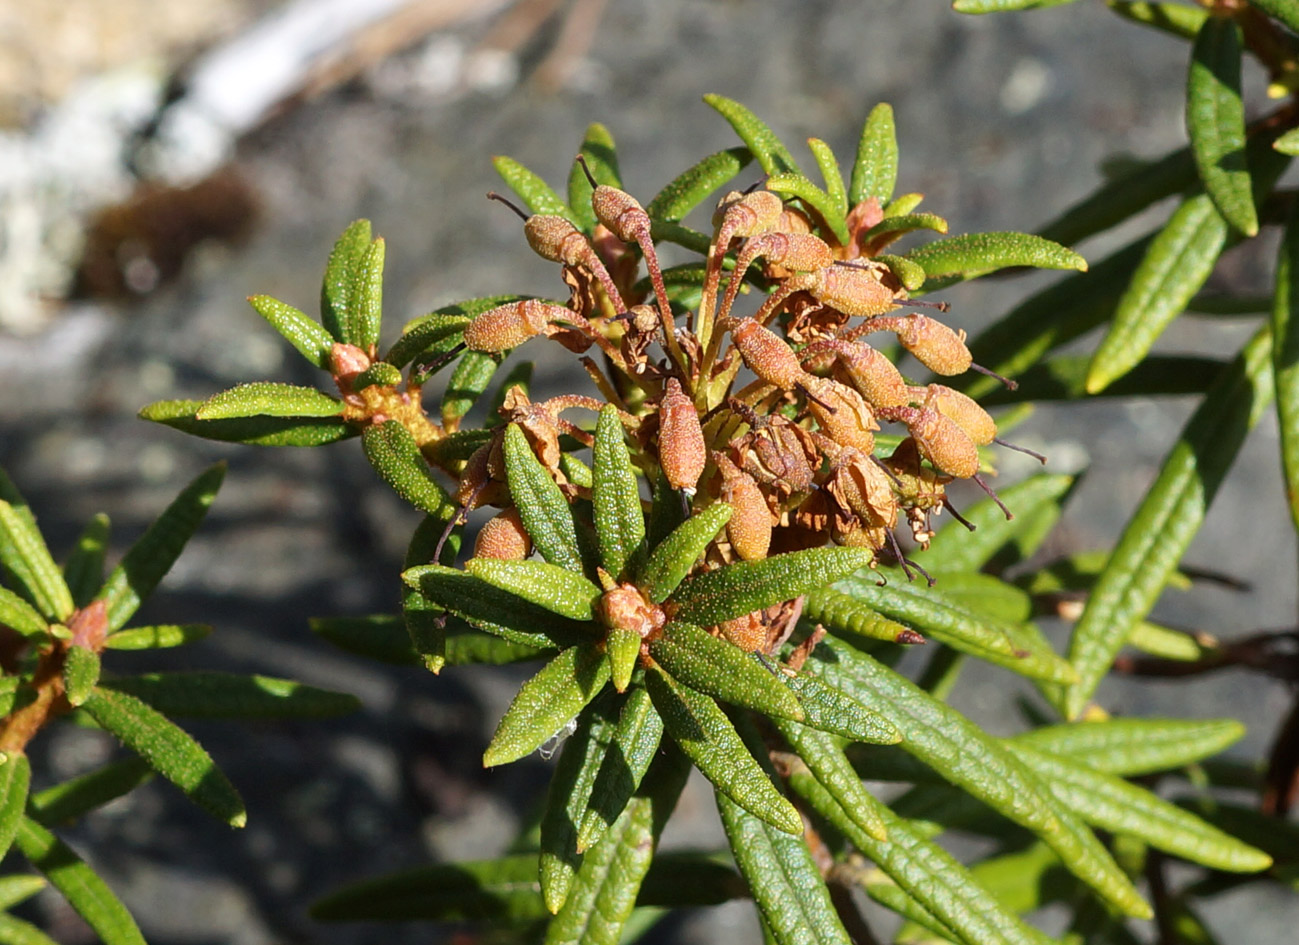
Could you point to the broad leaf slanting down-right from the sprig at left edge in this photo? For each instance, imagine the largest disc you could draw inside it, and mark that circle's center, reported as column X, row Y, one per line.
column 170, row 751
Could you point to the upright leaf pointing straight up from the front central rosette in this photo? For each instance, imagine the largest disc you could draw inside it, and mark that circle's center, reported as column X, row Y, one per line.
column 620, row 524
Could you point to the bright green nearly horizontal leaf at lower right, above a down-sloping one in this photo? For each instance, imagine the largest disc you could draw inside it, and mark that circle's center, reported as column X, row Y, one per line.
column 1136, row 747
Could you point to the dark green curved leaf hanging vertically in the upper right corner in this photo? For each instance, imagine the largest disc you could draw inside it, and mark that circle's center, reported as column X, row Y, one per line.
column 1215, row 120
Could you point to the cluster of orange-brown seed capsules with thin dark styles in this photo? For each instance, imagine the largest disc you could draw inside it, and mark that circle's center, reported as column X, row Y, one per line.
column 793, row 449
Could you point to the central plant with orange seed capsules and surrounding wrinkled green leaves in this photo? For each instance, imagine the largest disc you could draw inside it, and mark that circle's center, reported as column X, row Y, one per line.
column 702, row 554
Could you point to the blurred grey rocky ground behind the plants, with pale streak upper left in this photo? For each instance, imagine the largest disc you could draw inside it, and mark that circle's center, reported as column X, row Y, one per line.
column 159, row 163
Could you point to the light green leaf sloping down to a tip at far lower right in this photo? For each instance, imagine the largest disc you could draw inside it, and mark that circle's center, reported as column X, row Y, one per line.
column 1114, row 805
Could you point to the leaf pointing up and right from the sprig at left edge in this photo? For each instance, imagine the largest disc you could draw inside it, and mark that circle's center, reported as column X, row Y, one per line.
column 154, row 554
